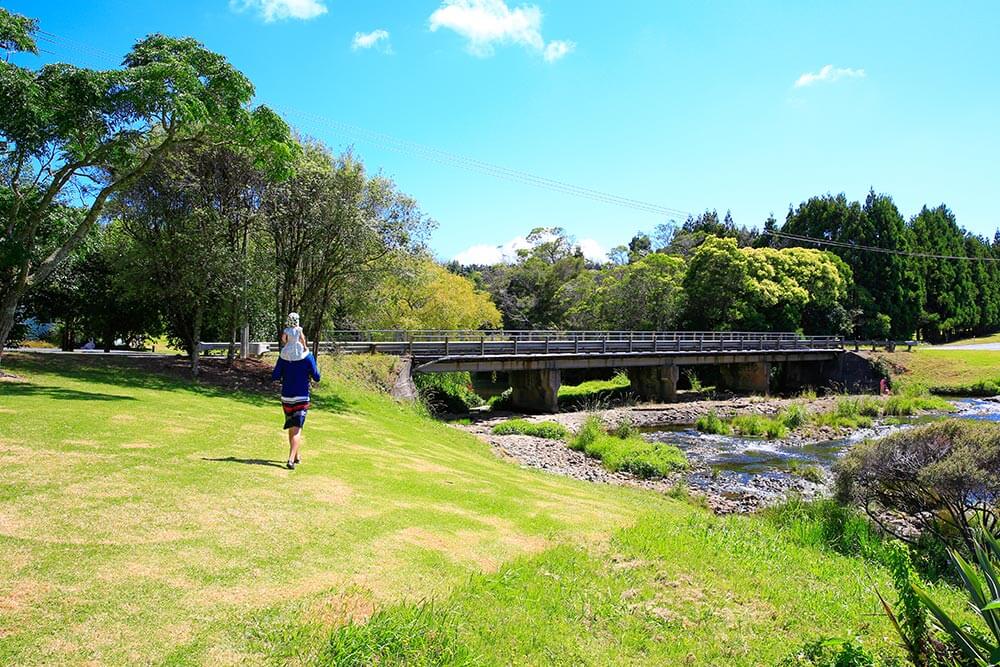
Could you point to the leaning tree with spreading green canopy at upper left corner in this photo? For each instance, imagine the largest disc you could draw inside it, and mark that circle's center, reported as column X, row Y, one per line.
column 83, row 135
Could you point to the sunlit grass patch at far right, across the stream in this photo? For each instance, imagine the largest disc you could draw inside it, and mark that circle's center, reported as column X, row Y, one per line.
column 947, row 370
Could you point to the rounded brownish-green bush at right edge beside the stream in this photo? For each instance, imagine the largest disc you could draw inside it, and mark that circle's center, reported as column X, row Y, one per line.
column 938, row 476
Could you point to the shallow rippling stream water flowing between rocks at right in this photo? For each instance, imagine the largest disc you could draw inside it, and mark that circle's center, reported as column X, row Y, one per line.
column 756, row 470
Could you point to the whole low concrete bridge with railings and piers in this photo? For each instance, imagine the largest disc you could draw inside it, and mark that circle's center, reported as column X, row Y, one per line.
column 534, row 360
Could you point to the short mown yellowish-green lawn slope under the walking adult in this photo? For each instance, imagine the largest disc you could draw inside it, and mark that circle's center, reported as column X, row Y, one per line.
column 142, row 518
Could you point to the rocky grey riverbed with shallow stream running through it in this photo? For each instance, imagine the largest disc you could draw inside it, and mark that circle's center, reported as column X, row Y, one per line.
column 732, row 474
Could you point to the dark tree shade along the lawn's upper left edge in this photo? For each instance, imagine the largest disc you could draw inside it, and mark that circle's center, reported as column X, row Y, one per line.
column 154, row 373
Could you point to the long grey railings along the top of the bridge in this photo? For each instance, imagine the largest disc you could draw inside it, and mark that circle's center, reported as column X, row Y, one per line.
column 450, row 343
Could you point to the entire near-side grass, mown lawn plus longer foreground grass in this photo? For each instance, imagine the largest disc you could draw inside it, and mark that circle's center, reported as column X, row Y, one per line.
column 146, row 520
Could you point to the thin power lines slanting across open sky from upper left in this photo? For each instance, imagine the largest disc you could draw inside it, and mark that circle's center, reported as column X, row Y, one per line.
column 422, row 151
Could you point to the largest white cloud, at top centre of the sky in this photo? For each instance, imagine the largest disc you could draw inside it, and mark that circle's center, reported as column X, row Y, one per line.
column 485, row 23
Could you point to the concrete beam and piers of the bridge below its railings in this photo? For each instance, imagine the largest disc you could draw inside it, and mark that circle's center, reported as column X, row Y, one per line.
column 535, row 380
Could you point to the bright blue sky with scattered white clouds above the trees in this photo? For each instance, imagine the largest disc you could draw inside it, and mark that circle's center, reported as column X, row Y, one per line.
column 687, row 105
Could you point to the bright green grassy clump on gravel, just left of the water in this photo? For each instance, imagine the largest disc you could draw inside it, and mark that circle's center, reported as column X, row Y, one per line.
column 631, row 454
